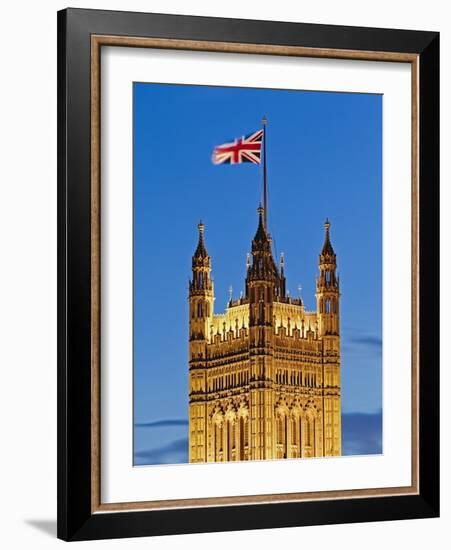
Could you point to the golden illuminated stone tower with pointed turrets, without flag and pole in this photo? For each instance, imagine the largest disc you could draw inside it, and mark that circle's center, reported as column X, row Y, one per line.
column 264, row 377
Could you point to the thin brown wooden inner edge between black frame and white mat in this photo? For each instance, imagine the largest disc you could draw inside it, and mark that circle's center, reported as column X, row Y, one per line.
column 176, row 44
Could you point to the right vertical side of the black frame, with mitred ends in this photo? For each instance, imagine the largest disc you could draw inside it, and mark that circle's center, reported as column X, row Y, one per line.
column 430, row 273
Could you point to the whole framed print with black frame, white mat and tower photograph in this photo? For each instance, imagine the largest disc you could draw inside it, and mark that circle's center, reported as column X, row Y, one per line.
column 248, row 274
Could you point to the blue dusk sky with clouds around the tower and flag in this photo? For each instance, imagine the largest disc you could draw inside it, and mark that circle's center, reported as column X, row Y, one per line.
column 324, row 154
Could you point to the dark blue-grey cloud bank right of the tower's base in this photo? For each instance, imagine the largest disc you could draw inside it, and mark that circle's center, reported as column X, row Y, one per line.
column 361, row 433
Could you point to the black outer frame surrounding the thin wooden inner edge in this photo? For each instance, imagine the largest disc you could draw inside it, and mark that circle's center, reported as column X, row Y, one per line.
column 75, row 521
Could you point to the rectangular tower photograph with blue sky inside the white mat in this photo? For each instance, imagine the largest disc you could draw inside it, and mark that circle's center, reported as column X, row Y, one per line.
column 257, row 274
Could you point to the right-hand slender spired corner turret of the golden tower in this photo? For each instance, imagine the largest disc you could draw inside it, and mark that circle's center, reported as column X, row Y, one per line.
column 327, row 288
